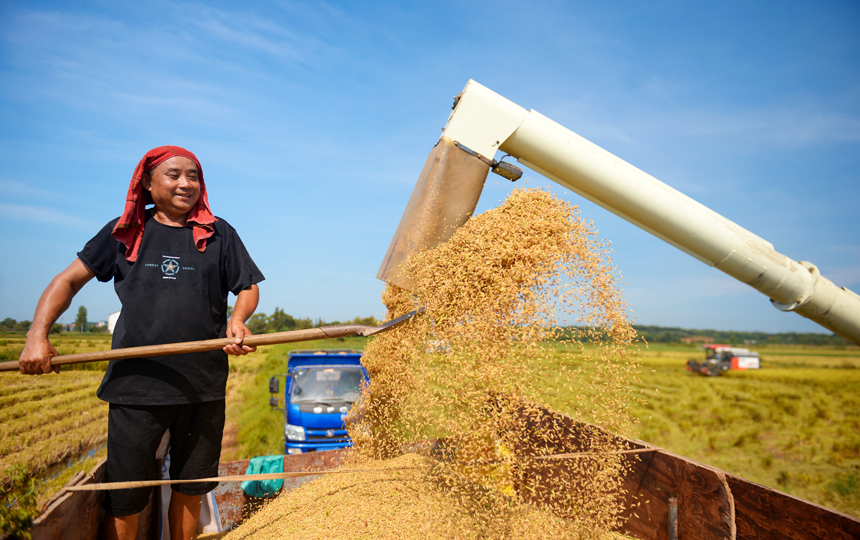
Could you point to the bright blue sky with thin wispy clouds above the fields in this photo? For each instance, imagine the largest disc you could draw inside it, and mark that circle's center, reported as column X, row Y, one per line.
column 312, row 121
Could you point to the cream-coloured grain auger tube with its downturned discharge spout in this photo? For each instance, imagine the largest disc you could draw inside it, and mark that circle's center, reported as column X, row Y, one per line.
column 483, row 122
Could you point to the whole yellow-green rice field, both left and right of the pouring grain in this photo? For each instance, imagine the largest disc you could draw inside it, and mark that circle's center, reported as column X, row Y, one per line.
column 793, row 425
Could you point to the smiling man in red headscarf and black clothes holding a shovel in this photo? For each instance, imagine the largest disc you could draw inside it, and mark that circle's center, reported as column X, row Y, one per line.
column 172, row 280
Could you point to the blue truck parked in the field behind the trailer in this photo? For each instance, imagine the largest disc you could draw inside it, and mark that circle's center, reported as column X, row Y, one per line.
column 321, row 387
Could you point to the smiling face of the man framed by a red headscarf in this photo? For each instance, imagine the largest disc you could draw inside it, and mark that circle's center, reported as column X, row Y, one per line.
column 174, row 186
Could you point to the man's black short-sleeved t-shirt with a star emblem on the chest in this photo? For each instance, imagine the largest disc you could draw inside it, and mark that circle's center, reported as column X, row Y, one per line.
column 172, row 293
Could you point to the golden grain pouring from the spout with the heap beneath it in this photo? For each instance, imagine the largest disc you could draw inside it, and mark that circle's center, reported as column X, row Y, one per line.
column 444, row 437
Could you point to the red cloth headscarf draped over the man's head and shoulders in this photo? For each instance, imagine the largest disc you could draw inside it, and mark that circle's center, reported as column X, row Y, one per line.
column 129, row 228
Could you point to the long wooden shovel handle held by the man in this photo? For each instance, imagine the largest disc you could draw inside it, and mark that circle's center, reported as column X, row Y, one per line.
column 293, row 336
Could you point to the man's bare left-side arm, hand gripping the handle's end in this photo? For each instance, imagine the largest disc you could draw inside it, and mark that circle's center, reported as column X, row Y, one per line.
column 36, row 357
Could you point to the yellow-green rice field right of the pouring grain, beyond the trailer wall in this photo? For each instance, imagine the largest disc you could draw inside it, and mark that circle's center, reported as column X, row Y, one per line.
column 793, row 425
